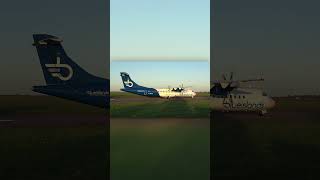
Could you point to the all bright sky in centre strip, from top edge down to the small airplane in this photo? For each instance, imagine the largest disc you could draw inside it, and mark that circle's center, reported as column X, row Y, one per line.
column 161, row 43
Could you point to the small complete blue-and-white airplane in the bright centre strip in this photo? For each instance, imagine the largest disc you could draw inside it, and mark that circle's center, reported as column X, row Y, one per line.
column 131, row 87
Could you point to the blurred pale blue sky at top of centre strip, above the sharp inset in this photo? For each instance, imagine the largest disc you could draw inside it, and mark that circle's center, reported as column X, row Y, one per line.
column 160, row 29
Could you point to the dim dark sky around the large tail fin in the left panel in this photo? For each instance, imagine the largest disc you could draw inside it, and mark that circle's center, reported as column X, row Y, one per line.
column 83, row 26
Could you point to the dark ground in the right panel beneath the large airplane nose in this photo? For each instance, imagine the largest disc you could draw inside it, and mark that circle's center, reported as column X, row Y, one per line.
column 283, row 145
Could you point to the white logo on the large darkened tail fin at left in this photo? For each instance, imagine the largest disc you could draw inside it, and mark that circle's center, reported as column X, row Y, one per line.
column 55, row 69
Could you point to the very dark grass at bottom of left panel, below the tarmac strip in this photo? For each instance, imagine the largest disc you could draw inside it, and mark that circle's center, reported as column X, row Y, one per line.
column 53, row 153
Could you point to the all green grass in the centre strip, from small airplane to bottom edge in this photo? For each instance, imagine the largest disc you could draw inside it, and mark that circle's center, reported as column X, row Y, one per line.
column 155, row 148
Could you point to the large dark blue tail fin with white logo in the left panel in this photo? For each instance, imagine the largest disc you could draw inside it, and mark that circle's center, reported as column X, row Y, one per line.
column 57, row 67
